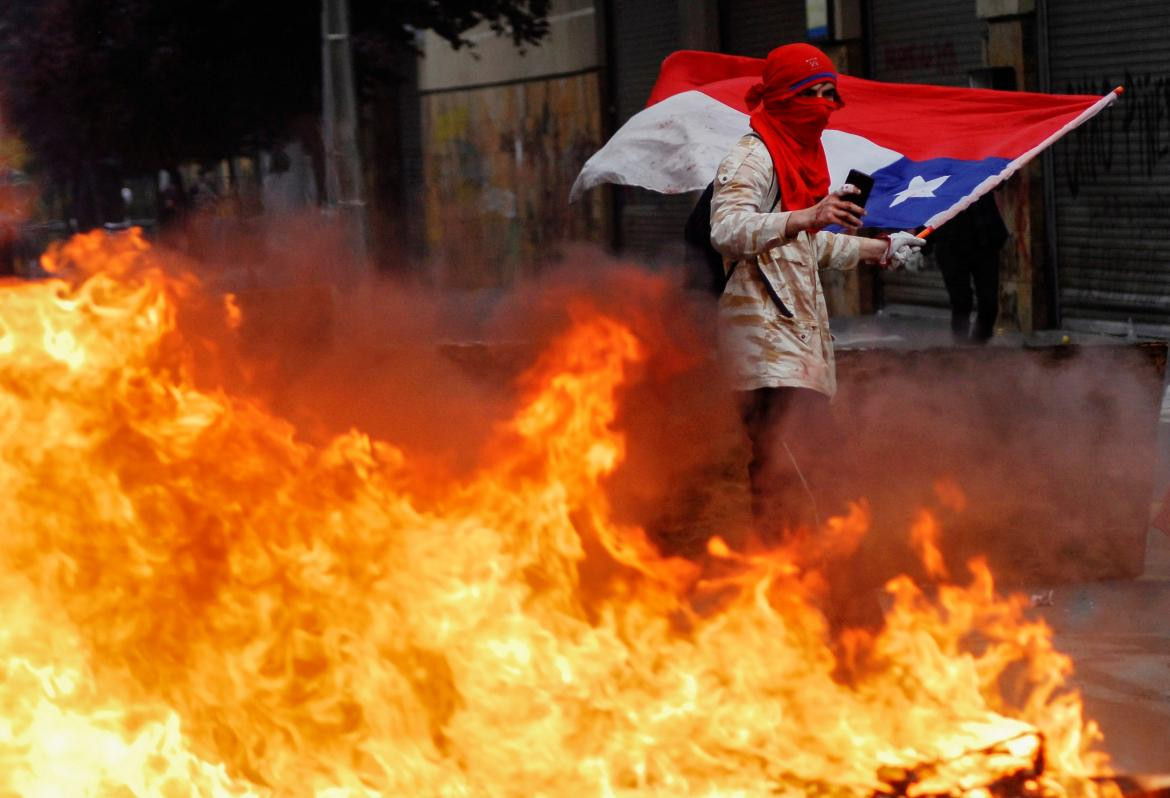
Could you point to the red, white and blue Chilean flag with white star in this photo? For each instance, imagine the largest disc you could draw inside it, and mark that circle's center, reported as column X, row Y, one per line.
column 932, row 150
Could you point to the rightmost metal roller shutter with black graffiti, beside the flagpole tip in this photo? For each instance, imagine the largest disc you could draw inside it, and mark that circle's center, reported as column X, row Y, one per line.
column 1112, row 178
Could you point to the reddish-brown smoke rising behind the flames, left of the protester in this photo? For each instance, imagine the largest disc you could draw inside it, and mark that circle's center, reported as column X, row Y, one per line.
column 435, row 372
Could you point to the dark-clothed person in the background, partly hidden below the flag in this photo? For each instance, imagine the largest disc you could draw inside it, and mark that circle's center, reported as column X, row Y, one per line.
column 967, row 250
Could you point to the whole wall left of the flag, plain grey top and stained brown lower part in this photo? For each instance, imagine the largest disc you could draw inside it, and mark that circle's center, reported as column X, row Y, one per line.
column 505, row 134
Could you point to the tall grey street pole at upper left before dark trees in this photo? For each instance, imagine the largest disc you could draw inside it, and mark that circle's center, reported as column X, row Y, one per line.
column 343, row 159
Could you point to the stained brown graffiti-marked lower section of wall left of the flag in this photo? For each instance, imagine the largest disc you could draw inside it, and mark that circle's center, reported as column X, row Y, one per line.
column 499, row 163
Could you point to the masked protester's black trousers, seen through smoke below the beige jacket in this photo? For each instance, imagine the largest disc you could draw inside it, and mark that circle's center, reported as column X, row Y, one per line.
column 795, row 450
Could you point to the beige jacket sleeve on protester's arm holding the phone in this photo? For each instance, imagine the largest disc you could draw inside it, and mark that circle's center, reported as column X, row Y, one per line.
column 744, row 185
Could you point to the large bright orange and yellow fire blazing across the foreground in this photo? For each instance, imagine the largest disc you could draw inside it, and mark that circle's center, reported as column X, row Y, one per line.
column 198, row 602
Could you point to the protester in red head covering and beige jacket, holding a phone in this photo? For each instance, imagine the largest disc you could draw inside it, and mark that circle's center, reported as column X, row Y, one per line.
column 769, row 208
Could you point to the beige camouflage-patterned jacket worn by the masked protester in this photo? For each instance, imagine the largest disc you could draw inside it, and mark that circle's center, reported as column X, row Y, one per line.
column 766, row 348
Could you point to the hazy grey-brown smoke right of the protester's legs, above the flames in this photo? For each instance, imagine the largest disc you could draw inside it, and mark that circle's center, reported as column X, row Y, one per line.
column 1052, row 448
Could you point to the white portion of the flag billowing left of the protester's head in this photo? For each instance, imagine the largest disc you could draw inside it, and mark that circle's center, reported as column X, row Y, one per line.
column 672, row 147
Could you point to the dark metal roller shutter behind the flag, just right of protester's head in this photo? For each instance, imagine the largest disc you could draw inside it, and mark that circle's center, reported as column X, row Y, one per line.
column 924, row 42
